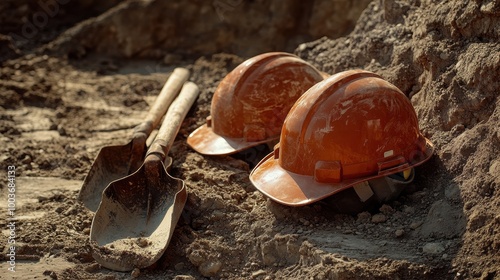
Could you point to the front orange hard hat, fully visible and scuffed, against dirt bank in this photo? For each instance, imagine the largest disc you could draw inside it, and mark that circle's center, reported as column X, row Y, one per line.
column 350, row 128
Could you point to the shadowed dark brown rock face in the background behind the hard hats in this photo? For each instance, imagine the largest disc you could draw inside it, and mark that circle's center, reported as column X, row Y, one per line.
column 204, row 27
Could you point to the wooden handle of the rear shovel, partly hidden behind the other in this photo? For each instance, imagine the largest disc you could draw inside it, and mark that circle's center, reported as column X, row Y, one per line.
column 168, row 93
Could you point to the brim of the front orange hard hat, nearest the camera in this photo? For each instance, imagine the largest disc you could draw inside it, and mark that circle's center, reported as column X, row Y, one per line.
column 294, row 189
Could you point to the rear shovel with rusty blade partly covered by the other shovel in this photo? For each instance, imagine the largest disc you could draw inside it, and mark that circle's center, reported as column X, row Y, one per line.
column 115, row 162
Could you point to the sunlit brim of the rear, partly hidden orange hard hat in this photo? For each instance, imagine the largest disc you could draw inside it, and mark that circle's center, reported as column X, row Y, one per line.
column 206, row 142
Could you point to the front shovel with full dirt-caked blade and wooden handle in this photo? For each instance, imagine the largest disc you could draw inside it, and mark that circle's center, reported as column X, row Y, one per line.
column 138, row 214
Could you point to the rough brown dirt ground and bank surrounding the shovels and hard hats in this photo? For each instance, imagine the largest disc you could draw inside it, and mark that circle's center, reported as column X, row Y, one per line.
column 64, row 95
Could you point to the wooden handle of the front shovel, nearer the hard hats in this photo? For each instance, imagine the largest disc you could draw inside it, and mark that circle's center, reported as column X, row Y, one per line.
column 173, row 120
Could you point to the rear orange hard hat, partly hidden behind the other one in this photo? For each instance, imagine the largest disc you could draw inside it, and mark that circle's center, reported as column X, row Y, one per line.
column 251, row 102
